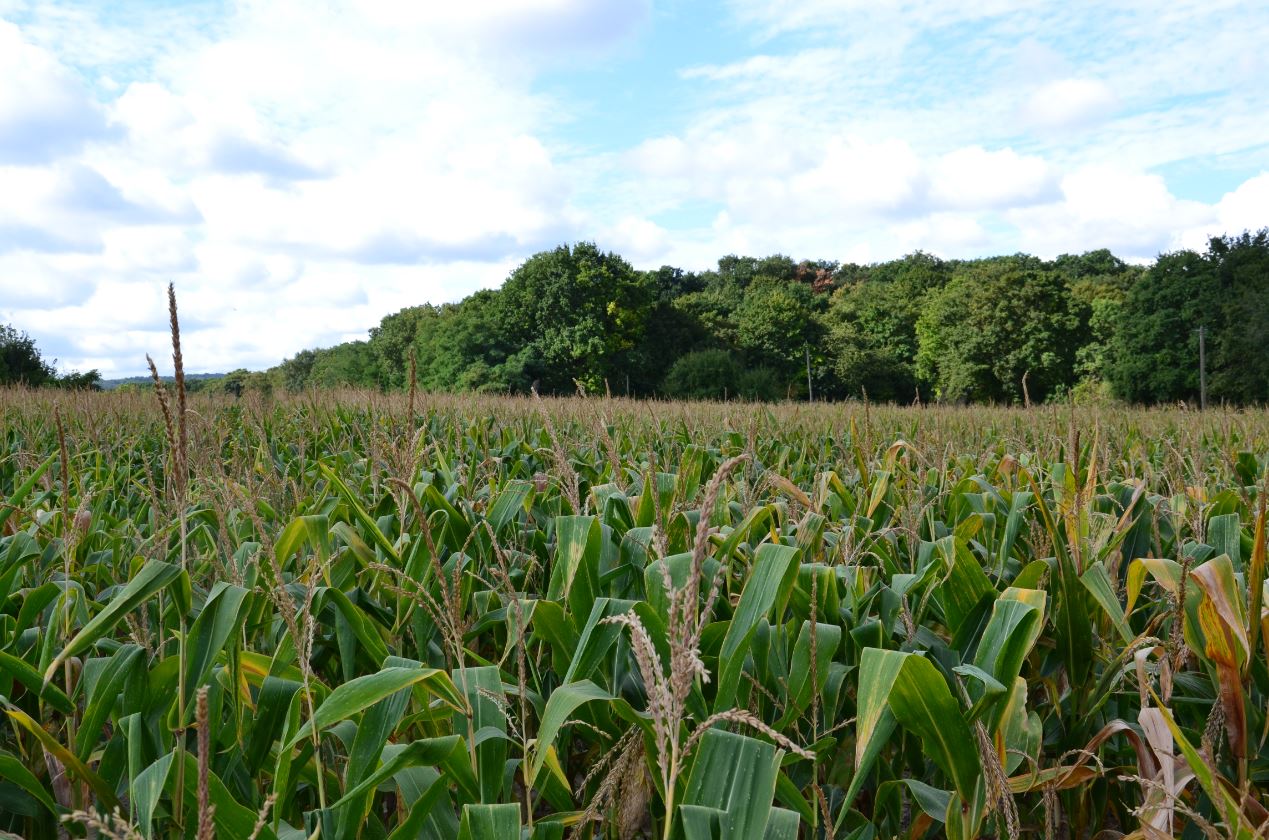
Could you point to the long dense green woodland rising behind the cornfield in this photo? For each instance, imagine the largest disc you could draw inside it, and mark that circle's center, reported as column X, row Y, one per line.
column 1007, row 329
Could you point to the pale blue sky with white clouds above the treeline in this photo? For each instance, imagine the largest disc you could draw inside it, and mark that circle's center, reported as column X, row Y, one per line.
column 301, row 169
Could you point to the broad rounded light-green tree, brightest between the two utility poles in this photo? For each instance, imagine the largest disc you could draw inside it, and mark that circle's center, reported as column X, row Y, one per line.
column 996, row 323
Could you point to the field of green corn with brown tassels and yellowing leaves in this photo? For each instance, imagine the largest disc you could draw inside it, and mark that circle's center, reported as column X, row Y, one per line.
column 366, row 616
